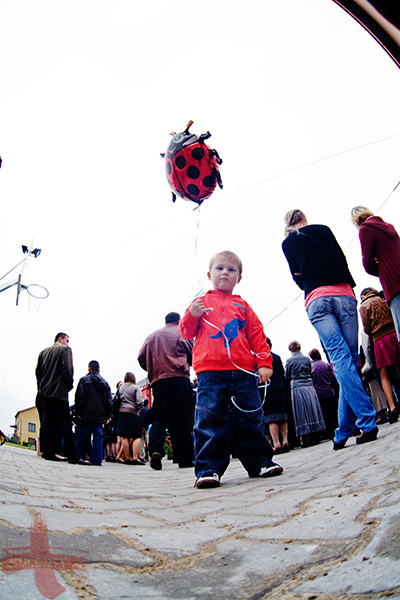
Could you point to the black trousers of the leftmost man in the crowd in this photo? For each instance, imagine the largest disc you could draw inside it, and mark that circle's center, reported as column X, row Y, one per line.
column 56, row 419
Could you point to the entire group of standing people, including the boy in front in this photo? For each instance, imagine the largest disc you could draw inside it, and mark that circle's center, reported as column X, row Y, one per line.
column 244, row 402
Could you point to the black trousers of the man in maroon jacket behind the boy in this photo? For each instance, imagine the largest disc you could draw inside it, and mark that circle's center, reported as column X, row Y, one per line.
column 172, row 409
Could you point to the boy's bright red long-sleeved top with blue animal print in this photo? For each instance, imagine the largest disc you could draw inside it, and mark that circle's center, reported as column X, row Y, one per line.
column 232, row 315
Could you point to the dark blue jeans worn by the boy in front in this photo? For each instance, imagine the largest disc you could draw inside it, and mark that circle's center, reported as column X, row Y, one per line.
column 219, row 423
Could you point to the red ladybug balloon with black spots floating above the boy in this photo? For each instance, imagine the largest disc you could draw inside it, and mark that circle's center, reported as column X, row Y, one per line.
column 191, row 166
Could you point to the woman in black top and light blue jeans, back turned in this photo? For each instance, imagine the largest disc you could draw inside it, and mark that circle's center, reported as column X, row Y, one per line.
column 319, row 267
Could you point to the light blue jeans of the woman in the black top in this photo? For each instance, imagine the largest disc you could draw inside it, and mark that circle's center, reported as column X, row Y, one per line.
column 335, row 319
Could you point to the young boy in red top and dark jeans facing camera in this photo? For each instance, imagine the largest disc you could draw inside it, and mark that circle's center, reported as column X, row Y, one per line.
column 230, row 344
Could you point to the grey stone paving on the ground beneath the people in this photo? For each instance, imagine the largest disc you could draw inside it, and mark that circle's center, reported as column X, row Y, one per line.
column 327, row 528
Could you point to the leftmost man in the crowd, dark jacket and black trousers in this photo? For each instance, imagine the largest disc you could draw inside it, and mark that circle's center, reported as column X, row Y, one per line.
column 55, row 378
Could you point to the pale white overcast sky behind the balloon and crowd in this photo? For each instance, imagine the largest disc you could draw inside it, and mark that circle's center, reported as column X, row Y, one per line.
column 302, row 105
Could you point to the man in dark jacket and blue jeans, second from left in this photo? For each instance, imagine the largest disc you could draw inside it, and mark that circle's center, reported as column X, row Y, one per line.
column 93, row 408
